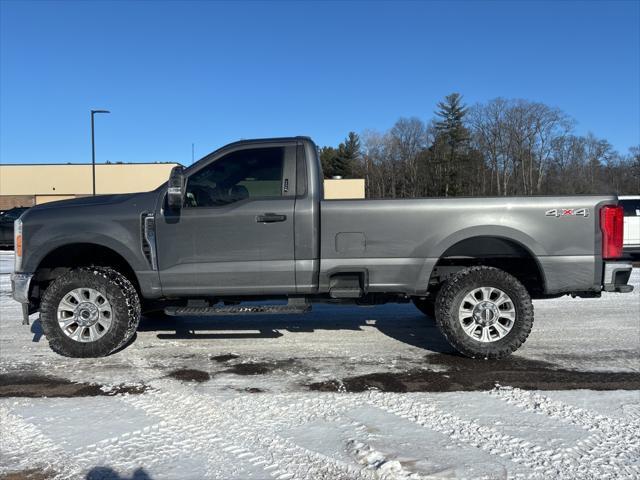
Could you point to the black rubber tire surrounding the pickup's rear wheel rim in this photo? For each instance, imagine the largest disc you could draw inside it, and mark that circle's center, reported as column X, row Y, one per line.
column 451, row 296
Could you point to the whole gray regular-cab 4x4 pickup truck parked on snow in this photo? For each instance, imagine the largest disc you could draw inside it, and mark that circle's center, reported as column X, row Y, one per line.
column 249, row 223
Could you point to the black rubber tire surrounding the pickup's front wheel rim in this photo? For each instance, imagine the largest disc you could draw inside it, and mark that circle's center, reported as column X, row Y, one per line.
column 115, row 287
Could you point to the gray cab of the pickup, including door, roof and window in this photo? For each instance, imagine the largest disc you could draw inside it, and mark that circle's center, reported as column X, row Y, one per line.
column 245, row 219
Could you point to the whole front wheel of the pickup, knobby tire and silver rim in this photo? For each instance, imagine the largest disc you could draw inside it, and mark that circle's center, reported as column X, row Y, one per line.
column 89, row 312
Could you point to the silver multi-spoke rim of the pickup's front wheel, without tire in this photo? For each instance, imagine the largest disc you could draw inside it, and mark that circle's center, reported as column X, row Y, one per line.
column 84, row 315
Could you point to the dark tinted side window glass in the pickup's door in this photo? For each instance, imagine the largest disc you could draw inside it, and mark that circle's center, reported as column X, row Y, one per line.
column 249, row 173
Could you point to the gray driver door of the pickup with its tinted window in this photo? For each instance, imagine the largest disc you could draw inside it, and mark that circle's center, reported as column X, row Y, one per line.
column 234, row 234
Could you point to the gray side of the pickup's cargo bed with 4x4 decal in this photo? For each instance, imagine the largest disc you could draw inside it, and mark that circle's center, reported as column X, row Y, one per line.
column 400, row 241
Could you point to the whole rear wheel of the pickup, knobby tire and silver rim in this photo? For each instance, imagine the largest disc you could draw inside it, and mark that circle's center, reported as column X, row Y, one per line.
column 484, row 312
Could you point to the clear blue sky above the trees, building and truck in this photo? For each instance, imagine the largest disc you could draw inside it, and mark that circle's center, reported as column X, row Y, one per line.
column 177, row 73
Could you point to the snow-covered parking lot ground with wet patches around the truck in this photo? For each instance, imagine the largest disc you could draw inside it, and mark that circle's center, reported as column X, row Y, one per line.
column 340, row 393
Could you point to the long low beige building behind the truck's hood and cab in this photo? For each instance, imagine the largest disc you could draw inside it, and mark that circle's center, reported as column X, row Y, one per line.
column 28, row 185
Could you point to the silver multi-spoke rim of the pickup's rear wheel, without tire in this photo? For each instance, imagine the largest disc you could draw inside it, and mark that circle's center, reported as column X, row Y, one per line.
column 487, row 314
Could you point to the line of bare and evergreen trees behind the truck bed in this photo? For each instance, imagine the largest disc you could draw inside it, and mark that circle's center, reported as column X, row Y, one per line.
column 501, row 147
